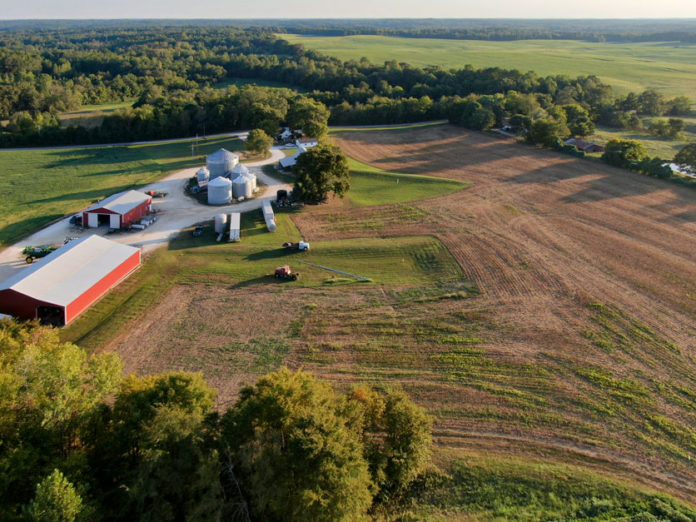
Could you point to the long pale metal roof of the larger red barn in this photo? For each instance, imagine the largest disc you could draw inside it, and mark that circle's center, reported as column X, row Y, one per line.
column 66, row 274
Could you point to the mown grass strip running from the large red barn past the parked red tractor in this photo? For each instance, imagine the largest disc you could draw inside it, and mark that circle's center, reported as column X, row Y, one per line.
column 189, row 260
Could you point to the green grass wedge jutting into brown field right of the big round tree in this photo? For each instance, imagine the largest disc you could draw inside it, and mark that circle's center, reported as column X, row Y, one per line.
column 374, row 186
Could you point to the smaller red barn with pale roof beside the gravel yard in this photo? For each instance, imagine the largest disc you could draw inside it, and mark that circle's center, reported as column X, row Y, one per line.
column 119, row 210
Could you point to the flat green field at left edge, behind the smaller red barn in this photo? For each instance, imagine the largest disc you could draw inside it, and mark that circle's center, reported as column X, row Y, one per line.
column 39, row 186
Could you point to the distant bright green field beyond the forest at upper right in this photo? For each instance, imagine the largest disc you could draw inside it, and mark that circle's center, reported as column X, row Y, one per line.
column 669, row 67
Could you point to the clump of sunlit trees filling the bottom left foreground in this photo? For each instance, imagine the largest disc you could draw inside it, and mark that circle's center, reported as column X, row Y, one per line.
column 79, row 442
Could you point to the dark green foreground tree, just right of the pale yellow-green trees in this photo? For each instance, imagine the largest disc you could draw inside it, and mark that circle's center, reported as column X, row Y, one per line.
column 155, row 459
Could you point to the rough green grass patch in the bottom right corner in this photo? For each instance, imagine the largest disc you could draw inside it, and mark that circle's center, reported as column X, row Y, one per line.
column 479, row 487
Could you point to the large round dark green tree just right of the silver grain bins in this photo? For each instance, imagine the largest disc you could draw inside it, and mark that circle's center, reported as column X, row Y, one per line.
column 319, row 171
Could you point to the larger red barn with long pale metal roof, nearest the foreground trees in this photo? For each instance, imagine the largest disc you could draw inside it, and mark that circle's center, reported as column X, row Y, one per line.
column 59, row 287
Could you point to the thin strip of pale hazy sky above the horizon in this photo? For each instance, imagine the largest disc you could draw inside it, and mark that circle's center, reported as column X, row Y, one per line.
column 236, row 9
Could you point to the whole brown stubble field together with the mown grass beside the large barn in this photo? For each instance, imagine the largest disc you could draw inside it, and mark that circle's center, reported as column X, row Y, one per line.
column 547, row 312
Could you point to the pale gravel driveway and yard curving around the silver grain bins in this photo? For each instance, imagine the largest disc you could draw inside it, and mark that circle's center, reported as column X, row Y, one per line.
column 175, row 212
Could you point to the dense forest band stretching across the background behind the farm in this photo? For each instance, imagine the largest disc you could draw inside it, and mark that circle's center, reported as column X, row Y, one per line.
column 183, row 80
